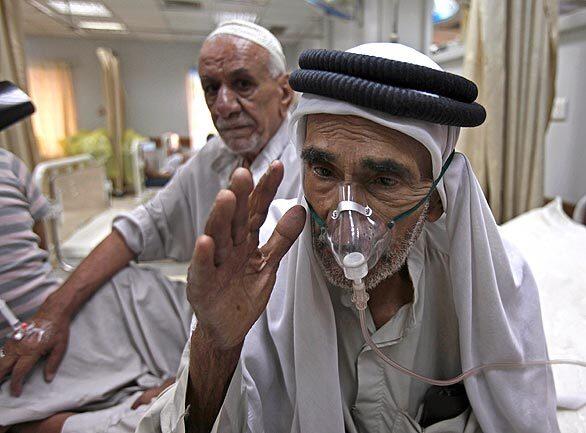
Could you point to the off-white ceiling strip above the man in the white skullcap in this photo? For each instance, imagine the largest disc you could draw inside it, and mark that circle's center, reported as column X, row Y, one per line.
column 177, row 20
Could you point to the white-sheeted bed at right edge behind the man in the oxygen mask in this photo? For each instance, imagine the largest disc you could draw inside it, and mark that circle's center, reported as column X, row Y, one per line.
column 554, row 246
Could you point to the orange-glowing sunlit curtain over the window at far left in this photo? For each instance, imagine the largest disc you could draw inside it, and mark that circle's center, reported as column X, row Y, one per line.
column 51, row 87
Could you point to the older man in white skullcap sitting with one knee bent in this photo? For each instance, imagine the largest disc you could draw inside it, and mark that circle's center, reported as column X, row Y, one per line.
column 116, row 330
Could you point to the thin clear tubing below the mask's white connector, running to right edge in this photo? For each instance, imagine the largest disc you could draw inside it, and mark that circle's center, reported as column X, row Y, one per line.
column 360, row 299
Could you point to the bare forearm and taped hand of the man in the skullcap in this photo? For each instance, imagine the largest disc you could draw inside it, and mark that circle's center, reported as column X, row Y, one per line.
column 55, row 315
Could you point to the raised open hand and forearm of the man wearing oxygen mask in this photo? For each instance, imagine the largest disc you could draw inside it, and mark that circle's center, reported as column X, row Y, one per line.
column 229, row 284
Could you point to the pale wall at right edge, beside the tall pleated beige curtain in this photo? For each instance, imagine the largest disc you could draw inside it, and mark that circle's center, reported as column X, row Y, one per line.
column 565, row 144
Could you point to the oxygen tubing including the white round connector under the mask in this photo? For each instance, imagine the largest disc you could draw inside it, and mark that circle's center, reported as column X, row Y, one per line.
column 355, row 269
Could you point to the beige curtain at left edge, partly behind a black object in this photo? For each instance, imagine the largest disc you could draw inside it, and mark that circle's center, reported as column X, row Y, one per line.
column 19, row 138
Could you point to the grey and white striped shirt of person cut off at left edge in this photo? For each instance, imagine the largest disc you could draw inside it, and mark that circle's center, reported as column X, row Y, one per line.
column 25, row 271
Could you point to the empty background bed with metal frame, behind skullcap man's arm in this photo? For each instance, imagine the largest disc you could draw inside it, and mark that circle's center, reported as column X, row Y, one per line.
column 83, row 209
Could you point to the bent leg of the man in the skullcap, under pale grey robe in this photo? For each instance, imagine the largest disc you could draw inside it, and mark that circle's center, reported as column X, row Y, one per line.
column 126, row 339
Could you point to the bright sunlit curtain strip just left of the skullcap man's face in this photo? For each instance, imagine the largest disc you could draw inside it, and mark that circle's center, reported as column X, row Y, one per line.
column 200, row 119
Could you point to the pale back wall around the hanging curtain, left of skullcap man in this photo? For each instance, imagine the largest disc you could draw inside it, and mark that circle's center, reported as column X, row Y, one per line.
column 153, row 74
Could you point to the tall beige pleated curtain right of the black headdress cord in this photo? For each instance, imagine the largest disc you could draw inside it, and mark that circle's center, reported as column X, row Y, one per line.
column 511, row 52
